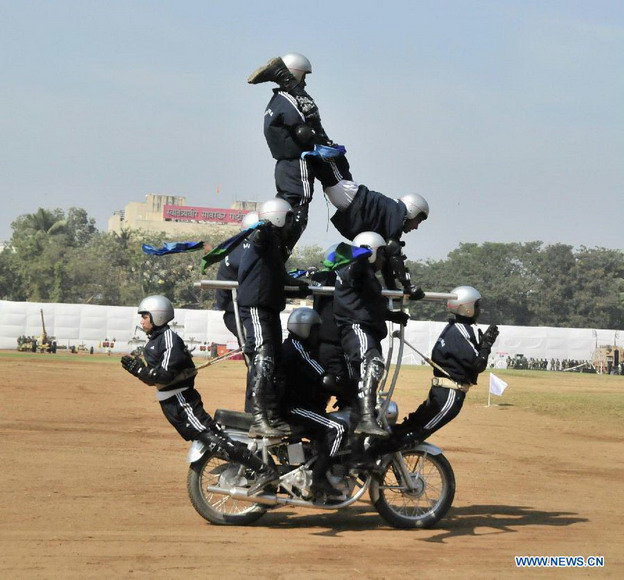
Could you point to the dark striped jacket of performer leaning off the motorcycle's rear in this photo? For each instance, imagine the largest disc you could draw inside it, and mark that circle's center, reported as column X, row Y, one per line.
column 168, row 360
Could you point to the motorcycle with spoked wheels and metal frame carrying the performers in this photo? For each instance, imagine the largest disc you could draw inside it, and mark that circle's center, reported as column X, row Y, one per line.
column 413, row 487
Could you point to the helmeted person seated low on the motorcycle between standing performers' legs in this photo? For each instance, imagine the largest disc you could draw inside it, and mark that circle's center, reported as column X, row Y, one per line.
column 307, row 391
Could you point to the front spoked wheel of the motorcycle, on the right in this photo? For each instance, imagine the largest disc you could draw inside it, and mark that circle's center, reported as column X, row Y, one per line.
column 433, row 490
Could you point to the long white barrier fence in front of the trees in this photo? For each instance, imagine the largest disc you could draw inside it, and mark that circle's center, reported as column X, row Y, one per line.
column 92, row 326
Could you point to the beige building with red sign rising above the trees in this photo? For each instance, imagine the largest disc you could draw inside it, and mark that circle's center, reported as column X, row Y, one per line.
column 170, row 214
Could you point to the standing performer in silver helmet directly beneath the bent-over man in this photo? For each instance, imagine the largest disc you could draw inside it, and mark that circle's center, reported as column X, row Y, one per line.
column 361, row 311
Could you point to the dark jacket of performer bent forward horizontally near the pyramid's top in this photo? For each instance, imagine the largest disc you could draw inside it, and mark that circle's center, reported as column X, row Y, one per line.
column 371, row 211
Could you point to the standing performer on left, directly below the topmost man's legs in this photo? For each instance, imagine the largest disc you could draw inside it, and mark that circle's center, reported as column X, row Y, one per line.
column 261, row 297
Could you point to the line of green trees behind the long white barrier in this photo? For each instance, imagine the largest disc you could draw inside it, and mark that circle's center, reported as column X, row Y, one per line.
column 61, row 257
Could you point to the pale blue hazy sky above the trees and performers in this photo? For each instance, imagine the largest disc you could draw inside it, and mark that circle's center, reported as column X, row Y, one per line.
column 507, row 116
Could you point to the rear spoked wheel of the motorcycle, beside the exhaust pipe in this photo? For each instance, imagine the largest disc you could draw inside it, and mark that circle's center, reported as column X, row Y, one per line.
column 214, row 471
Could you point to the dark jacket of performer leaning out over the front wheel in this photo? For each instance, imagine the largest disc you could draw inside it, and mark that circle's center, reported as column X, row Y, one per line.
column 459, row 353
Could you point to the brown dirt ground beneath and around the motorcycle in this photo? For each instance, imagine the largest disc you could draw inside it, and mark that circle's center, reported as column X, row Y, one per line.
column 93, row 484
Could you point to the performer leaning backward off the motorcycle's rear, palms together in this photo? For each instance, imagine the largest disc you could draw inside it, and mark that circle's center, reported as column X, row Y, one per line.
column 170, row 368
